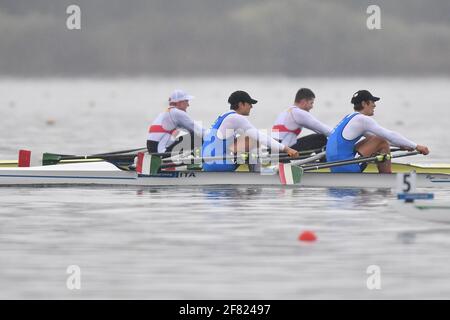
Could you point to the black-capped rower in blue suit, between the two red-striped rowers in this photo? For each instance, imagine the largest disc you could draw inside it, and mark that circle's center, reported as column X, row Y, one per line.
column 222, row 140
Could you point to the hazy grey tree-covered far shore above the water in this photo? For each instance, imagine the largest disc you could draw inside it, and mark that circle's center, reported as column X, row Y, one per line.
column 212, row 37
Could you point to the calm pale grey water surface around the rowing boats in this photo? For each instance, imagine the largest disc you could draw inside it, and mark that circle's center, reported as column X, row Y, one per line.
column 215, row 242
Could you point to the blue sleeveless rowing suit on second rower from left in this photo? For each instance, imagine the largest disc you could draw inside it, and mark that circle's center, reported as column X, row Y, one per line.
column 213, row 146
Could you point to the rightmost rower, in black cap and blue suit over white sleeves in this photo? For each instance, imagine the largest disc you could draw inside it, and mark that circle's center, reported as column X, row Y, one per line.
column 343, row 141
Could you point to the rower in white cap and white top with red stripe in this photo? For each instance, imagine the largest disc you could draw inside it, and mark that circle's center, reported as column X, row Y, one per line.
column 164, row 129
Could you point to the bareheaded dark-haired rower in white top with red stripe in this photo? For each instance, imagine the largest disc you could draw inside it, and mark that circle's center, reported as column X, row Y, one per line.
column 290, row 123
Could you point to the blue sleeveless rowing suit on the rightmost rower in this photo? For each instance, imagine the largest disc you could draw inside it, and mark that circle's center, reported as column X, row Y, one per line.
column 339, row 148
